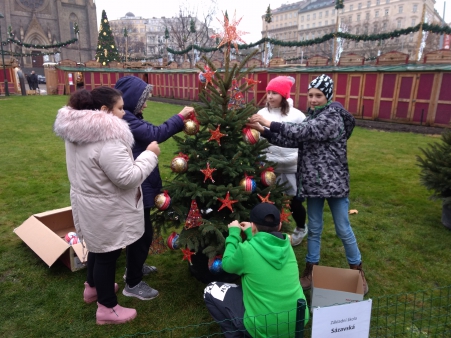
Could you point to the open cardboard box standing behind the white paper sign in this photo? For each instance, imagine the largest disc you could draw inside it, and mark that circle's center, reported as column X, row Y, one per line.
column 332, row 286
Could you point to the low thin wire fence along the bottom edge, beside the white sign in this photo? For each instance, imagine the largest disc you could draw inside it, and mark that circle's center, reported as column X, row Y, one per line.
column 423, row 314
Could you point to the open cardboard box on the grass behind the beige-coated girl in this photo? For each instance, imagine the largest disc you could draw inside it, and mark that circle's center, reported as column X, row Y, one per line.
column 44, row 234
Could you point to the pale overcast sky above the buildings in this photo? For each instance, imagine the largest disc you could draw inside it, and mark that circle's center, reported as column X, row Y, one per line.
column 250, row 11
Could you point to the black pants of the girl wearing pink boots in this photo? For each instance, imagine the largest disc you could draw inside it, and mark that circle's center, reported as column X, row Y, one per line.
column 101, row 275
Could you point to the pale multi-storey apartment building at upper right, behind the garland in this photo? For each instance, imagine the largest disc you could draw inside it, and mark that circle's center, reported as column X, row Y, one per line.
column 319, row 17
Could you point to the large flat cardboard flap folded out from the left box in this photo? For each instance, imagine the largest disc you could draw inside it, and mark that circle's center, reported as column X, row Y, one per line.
column 43, row 241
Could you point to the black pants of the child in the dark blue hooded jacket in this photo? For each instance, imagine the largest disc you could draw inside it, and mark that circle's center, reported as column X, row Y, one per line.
column 137, row 252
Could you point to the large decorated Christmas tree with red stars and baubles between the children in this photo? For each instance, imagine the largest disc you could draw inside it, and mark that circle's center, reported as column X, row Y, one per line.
column 220, row 166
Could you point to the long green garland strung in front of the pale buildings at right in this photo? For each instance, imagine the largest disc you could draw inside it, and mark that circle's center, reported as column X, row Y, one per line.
column 363, row 37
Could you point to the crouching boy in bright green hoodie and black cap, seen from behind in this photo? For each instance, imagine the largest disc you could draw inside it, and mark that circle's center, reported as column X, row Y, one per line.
column 265, row 304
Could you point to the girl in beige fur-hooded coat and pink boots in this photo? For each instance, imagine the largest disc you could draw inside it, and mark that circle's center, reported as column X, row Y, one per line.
column 105, row 189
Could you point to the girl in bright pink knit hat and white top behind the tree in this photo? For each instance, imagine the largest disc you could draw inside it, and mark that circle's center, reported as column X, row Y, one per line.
column 279, row 108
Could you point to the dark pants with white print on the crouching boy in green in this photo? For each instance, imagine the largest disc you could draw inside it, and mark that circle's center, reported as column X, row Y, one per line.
column 225, row 303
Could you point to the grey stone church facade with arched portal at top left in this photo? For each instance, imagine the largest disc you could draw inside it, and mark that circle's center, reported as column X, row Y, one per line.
column 45, row 22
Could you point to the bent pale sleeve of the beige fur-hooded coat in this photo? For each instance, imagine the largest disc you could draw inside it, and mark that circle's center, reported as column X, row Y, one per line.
column 121, row 169
